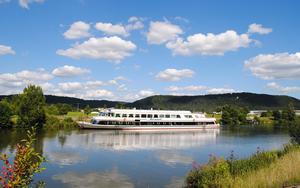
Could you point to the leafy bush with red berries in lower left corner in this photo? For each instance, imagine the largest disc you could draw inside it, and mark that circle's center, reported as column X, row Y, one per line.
column 27, row 162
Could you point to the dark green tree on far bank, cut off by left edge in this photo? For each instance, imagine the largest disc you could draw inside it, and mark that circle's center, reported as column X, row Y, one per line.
column 5, row 114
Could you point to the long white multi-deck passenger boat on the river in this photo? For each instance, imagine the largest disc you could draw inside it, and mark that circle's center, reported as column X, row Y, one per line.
column 134, row 119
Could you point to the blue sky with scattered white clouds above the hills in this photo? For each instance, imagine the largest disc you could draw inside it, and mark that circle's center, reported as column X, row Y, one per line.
column 130, row 49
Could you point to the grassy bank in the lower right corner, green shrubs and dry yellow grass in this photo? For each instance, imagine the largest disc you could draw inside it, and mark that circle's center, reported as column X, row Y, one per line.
column 263, row 169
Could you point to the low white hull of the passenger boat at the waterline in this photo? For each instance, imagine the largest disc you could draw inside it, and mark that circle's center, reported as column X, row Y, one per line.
column 85, row 125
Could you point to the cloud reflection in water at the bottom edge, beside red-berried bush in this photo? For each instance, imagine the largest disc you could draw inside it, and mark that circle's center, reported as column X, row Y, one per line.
column 110, row 179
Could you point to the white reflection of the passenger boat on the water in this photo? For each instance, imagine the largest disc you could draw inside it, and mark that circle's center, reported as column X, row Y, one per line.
column 128, row 140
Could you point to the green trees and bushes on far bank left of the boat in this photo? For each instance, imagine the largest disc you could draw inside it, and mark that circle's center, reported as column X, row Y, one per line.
column 29, row 109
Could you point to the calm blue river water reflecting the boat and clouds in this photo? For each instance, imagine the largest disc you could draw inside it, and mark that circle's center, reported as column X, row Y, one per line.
column 94, row 158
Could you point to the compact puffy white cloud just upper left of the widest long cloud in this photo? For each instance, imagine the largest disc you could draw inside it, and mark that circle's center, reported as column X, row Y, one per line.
column 161, row 32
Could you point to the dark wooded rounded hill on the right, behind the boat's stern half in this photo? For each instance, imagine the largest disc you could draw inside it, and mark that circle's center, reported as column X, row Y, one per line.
column 211, row 102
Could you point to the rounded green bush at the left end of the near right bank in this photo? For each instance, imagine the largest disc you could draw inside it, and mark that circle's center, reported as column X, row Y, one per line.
column 213, row 174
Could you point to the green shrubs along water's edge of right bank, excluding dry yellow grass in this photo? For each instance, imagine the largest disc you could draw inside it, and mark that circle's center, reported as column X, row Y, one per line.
column 222, row 173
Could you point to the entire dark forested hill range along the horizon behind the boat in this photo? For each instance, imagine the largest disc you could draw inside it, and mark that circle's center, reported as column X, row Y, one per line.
column 195, row 103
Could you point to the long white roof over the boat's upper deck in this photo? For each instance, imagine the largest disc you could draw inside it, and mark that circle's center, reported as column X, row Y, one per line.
column 151, row 111
